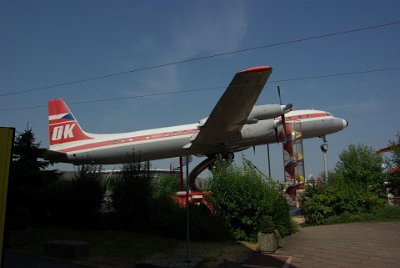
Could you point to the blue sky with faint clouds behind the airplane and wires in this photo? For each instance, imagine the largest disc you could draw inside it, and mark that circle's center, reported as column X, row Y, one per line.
column 50, row 42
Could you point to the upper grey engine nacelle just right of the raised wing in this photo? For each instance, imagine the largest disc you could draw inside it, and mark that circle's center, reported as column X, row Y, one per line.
column 267, row 111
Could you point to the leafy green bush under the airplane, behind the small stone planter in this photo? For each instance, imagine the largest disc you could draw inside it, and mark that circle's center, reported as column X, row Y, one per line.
column 241, row 198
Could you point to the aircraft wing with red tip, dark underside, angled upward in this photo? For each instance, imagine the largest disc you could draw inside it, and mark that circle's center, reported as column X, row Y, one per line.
column 232, row 110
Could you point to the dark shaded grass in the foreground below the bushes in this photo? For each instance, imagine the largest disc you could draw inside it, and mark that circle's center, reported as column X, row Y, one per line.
column 122, row 249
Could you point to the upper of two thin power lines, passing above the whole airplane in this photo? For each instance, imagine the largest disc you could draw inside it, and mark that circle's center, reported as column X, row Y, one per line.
column 201, row 58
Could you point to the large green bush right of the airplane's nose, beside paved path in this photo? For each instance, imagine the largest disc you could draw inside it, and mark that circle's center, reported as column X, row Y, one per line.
column 354, row 188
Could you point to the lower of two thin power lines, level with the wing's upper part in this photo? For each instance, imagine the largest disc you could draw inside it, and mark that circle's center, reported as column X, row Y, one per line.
column 155, row 94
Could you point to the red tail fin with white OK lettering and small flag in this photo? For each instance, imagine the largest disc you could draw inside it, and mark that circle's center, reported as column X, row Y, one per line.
column 63, row 127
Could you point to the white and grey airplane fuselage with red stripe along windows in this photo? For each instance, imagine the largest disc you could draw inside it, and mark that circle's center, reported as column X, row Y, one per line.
column 170, row 141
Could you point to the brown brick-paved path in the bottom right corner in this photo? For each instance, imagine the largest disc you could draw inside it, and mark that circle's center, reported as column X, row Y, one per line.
column 345, row 245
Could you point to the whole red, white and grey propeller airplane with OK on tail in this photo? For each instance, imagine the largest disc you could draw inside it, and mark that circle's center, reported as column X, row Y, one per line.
column 234, row 124
